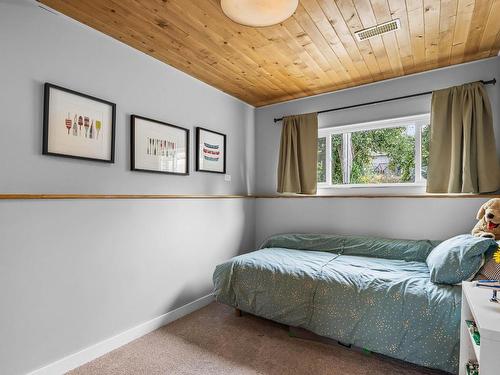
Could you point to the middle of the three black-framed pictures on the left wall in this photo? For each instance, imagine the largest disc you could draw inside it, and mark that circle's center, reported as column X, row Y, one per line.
column 159, row 147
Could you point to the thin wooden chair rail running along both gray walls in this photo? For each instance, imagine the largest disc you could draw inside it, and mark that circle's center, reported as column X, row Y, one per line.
column 194, row 196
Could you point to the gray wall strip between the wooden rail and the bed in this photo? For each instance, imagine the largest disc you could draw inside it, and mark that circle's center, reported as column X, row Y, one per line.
column 413, row 218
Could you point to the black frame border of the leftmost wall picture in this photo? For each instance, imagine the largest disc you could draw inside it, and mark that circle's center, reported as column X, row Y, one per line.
column 46, row 107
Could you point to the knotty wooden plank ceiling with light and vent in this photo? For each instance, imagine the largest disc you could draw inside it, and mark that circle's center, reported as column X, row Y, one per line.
column 313, row 52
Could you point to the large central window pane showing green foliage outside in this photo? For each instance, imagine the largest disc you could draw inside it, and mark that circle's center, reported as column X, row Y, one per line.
column 383, row 156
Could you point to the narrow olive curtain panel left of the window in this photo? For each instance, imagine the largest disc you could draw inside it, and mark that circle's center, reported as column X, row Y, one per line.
column 298, row 157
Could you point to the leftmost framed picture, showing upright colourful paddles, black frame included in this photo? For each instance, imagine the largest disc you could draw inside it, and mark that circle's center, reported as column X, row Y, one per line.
column 77, row 125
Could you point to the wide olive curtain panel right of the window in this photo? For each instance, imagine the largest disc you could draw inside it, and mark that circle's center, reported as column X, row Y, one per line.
column 462, row 153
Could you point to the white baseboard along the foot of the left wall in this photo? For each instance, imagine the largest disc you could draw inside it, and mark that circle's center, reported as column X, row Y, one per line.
column 88, row 354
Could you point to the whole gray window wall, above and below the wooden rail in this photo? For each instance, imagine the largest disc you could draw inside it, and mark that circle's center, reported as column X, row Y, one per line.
column 391, row 217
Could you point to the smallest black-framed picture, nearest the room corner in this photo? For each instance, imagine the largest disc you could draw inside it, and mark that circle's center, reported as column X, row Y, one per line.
column 210, row 151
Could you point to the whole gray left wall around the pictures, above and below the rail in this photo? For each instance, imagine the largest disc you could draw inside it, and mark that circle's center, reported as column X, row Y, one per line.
column 73, row 273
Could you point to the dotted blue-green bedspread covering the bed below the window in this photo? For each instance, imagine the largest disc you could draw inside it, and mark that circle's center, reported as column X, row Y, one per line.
column 366, row 297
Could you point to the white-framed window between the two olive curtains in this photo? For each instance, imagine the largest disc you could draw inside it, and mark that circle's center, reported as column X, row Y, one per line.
column 382, row 153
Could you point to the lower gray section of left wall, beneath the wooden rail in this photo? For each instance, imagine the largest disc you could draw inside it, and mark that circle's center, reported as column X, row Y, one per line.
column 73, row 273
